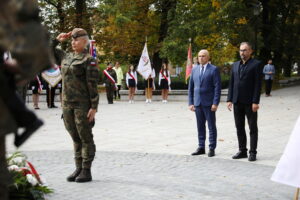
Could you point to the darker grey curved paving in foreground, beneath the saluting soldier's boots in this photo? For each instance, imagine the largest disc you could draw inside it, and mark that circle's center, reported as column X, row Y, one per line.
column 137, row 176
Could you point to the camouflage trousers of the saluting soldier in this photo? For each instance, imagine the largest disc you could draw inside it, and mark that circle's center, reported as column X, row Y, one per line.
column 79, row 128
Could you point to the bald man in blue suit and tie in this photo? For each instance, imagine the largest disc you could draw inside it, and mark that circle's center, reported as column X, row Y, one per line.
column 204, row 98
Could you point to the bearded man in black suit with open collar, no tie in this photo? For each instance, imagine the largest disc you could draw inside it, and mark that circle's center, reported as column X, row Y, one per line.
column 244, row 94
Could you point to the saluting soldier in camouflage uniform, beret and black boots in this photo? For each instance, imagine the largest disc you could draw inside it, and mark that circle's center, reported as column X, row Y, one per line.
column 79, row 99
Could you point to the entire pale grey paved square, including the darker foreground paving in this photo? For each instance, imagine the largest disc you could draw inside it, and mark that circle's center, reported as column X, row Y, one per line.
column 143, row 152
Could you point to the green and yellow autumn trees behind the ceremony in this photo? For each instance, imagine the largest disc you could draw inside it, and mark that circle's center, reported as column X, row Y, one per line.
column 120, row 28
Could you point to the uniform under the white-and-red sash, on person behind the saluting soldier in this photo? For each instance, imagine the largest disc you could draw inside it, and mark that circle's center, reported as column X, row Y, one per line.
column 109, row 85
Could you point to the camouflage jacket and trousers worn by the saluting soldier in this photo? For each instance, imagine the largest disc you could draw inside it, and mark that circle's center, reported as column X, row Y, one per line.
column 79, row 93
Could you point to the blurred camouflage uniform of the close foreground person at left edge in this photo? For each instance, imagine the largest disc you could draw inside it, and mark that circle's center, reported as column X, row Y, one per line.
column 22, row 34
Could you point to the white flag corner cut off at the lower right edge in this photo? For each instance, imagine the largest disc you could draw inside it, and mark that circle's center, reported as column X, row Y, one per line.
column 288, row 167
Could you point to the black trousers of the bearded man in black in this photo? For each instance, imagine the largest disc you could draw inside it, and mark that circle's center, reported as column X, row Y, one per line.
column 240, row 112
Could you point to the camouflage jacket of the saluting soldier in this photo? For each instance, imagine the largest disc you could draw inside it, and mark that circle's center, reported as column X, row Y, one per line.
column 79, row 78
